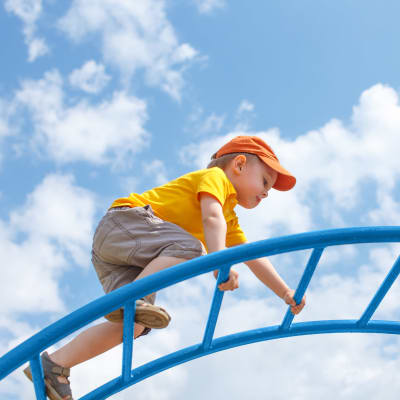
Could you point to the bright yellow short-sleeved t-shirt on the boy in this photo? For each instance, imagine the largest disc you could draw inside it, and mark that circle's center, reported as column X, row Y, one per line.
column 178, row 202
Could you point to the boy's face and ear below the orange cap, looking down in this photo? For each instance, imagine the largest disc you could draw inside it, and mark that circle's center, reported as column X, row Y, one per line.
column 252, row 180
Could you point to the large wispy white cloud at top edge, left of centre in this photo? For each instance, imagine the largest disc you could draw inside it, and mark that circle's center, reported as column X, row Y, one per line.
column 135, row 35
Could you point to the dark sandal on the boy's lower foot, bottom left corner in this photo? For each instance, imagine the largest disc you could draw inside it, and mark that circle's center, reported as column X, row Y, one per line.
column 55, row 390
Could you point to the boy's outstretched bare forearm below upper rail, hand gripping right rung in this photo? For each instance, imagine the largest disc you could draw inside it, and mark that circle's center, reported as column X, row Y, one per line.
column 266, row 273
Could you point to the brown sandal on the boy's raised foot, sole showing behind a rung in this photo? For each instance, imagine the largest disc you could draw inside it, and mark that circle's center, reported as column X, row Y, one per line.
column 147, row 314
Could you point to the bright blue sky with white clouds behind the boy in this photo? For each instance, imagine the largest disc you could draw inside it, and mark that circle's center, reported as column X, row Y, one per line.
column 102, row 98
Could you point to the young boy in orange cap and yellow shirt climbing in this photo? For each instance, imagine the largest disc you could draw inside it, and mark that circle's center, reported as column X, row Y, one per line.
column 183, row 219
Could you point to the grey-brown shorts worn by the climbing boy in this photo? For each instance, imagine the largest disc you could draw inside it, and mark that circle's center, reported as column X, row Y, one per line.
column 127, row 239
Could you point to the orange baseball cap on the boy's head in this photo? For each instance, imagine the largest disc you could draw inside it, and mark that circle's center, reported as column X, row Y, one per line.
column 255, row 145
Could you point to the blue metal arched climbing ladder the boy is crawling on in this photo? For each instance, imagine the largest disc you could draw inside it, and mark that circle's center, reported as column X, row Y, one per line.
column 126, row 296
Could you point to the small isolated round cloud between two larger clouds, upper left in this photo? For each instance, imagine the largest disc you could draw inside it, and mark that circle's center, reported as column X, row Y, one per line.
column 91, row 77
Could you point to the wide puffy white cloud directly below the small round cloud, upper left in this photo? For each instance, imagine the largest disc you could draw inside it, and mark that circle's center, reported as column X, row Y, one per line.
column 108, row 132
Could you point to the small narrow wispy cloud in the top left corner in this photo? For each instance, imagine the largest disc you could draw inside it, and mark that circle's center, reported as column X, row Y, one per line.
column 29, row 11
